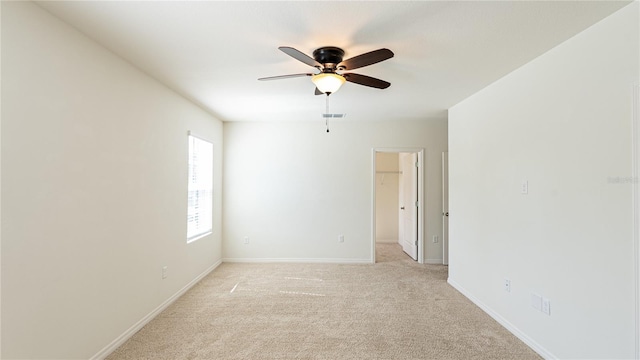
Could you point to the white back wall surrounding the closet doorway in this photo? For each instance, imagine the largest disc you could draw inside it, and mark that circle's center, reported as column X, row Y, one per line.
column 293, row 189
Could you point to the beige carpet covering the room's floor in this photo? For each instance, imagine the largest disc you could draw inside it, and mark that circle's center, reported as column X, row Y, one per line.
column 395, row 309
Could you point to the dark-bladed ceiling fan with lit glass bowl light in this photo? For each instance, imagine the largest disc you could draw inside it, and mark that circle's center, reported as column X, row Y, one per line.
column 329, row 61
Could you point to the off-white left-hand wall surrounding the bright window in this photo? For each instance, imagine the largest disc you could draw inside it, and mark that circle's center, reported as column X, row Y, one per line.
column 94, row 175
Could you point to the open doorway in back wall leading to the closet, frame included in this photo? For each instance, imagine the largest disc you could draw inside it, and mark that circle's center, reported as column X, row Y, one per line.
column 397, row 200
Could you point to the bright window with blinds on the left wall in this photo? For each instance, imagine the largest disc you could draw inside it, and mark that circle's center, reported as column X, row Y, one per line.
column 200, row 189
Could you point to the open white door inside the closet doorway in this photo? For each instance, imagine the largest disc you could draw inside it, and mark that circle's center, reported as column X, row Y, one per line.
column 408, row 199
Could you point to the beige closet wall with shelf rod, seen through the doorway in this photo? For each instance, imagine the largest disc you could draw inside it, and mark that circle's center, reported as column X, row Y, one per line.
column 387, row 189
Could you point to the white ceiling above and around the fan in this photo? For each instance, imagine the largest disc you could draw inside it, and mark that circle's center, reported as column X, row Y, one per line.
column 213, row 52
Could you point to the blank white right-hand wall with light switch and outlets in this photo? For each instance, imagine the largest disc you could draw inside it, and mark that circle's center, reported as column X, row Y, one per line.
column 563, row 123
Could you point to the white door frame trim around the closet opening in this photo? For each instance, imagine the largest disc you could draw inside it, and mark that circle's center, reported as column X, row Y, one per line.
column 421, row 203
